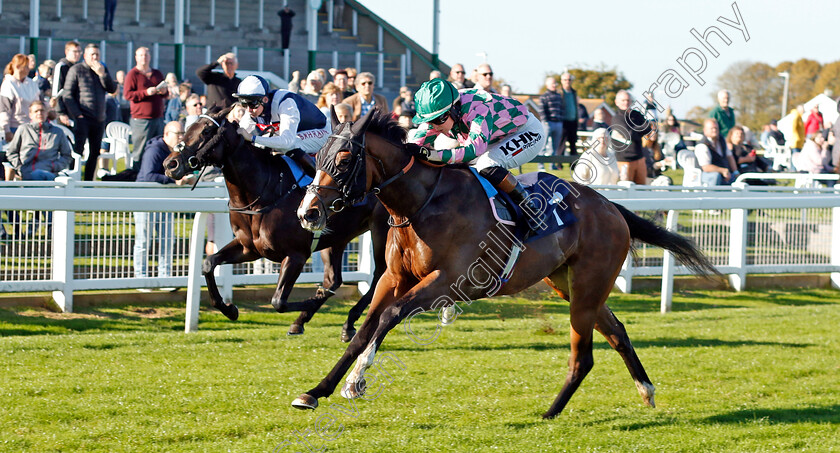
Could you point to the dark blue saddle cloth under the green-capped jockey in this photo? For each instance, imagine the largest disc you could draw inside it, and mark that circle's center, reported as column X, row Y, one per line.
column 547, row 190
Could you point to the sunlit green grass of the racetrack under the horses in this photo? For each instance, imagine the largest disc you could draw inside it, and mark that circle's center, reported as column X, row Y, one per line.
column 751, row 371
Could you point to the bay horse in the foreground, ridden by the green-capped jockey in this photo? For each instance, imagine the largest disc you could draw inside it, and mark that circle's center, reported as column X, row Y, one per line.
column 441, row 220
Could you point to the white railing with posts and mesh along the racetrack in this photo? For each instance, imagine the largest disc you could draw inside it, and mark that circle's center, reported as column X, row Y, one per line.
column 79, row 235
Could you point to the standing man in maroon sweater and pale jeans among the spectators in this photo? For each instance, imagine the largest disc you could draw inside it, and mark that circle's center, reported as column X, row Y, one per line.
column 147, row 91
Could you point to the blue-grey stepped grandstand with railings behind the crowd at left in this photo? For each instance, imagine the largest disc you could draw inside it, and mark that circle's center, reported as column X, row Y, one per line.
column 213, row 27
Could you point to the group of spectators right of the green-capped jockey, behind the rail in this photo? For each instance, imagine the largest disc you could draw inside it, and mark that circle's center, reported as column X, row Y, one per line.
column 723, row 151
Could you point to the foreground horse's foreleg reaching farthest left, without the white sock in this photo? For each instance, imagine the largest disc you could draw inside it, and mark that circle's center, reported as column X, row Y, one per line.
column 385, row 294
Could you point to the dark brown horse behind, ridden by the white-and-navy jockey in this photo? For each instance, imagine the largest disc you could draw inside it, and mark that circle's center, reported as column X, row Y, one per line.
column 263, row 198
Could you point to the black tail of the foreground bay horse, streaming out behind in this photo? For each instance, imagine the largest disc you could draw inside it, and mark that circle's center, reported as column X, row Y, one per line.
column 683, row 249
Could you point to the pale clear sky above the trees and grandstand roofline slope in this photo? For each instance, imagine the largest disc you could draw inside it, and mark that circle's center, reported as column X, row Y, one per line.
column 526, row 40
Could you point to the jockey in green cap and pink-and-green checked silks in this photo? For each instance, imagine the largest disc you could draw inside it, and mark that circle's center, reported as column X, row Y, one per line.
column 495, row 133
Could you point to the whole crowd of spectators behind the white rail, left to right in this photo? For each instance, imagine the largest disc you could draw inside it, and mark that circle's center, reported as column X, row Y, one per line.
column 79, row 93
